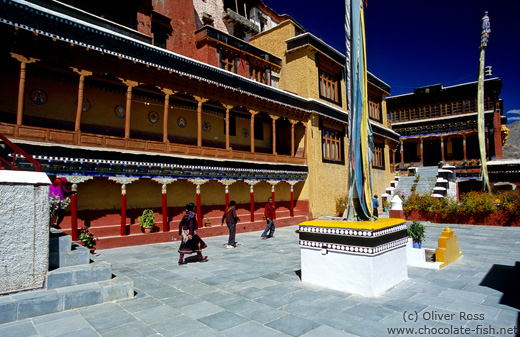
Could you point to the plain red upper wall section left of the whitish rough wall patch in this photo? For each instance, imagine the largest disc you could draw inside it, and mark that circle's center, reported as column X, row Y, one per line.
column 182, row 15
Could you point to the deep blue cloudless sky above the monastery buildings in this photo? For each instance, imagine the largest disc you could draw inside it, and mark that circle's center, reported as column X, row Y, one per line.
column 414, row 43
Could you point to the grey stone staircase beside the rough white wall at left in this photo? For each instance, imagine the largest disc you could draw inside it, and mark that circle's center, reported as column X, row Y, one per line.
column 72, row 282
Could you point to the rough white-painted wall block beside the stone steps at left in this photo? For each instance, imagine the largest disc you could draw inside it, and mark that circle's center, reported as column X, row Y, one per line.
column 24, row 230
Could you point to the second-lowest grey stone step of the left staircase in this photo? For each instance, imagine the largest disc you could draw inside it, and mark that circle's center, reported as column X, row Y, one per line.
column 74, row 275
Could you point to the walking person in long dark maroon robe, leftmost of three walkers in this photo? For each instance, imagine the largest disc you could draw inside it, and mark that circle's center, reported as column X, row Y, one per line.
column 190, row 241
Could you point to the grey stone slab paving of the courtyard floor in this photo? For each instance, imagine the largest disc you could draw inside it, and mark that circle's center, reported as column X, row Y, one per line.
column 255, row 290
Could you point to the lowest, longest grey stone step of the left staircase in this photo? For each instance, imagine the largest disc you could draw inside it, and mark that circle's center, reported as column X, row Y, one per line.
column 42, row 302
